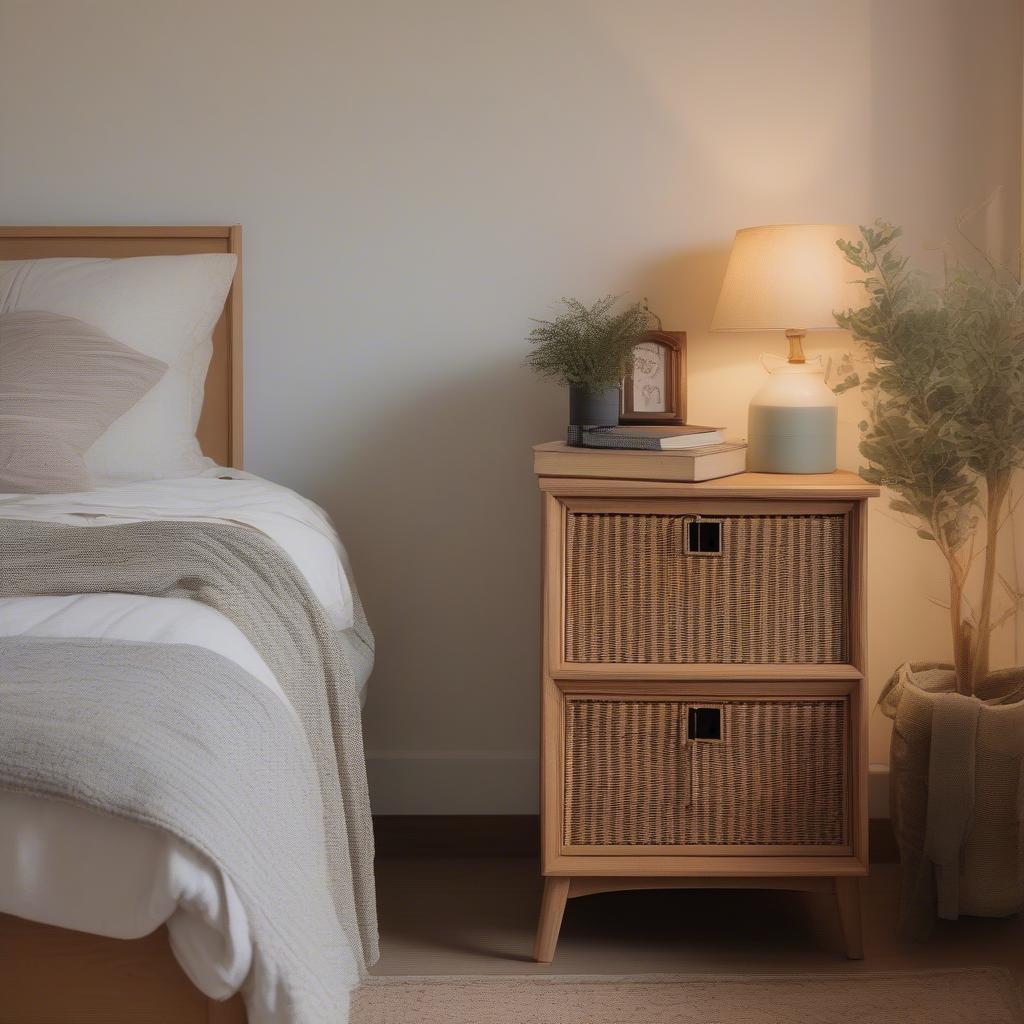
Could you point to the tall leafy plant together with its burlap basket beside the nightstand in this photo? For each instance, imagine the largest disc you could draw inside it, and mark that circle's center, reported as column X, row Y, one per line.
column 945, row 433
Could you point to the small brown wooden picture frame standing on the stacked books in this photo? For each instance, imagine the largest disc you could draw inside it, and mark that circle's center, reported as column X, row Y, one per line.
column 655, row 392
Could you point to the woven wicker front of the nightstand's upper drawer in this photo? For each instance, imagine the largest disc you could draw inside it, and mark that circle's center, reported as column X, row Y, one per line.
column 777, row 594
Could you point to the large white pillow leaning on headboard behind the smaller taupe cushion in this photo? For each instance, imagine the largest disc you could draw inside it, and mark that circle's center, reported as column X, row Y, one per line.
column 163, row 307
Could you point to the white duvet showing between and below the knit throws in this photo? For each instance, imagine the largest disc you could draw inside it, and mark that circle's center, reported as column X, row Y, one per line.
column 75, row 868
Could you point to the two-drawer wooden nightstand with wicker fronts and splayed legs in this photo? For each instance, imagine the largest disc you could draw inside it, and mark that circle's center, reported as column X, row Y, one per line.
column 704, row 718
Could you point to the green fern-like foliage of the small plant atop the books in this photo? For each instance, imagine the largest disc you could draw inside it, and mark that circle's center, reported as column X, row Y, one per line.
column 590, row 348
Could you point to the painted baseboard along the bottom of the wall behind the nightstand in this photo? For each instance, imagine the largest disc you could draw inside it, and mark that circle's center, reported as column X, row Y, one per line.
column 492, row 783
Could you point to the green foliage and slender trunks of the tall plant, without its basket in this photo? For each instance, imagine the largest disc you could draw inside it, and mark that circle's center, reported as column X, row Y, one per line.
column 946, row 406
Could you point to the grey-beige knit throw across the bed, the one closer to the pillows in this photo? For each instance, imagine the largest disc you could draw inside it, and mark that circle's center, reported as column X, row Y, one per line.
column 246, row 577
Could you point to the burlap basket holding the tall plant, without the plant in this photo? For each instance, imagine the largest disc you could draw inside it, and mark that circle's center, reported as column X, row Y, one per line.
column 957, row 794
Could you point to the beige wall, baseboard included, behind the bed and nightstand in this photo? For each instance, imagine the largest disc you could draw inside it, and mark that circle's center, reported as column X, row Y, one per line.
column 416, row 180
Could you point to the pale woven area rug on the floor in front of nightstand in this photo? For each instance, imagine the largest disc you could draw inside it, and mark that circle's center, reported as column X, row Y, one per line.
column 985, row 996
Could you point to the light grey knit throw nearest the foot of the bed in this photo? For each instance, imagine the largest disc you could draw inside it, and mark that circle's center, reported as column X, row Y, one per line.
column 183, row 739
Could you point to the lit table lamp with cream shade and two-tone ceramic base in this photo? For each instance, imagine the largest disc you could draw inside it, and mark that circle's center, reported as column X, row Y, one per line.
column 790, row 278
